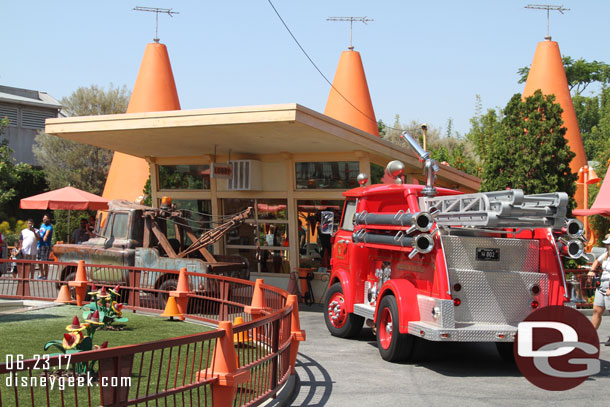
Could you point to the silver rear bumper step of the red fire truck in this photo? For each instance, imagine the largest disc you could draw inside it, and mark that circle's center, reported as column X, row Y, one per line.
column 464, row 332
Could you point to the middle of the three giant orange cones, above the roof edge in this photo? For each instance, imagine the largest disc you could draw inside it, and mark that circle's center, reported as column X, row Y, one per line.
column 350, row 82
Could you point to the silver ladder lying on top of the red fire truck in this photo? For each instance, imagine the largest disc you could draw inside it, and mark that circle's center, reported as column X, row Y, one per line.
column 499, row 209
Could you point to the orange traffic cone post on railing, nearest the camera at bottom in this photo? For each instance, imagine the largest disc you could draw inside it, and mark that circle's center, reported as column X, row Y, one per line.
column 224, row 368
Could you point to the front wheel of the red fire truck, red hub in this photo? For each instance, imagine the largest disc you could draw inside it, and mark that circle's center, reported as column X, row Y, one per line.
column 338, row 321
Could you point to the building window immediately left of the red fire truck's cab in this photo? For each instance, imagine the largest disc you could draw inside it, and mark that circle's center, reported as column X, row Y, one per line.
column 315, row 247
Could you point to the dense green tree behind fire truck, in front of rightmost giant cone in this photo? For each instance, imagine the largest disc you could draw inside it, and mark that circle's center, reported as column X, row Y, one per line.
column 528, row 151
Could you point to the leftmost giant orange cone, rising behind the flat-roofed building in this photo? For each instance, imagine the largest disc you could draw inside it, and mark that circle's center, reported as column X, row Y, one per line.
column 154, row 91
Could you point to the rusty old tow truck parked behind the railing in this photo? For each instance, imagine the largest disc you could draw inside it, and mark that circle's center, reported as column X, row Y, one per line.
column 136, row 235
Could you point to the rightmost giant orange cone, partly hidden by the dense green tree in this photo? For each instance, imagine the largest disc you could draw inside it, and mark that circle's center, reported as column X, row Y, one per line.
column 547, row 73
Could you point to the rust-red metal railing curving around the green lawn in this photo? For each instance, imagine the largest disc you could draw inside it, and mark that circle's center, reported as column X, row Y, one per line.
column 187, row 366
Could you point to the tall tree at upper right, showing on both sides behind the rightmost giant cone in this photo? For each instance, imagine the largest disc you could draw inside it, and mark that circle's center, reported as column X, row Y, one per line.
column 579, row 73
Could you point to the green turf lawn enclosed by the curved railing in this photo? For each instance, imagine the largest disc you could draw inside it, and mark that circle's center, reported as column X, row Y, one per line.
column 26, row 334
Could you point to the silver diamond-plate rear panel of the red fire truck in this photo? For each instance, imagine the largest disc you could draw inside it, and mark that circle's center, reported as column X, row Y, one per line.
column 496, row 291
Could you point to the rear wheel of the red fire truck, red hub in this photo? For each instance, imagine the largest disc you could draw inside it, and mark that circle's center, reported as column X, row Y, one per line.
column 393, row 346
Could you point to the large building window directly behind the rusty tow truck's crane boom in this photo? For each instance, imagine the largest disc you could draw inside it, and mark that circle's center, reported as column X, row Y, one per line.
column 262, row 239
